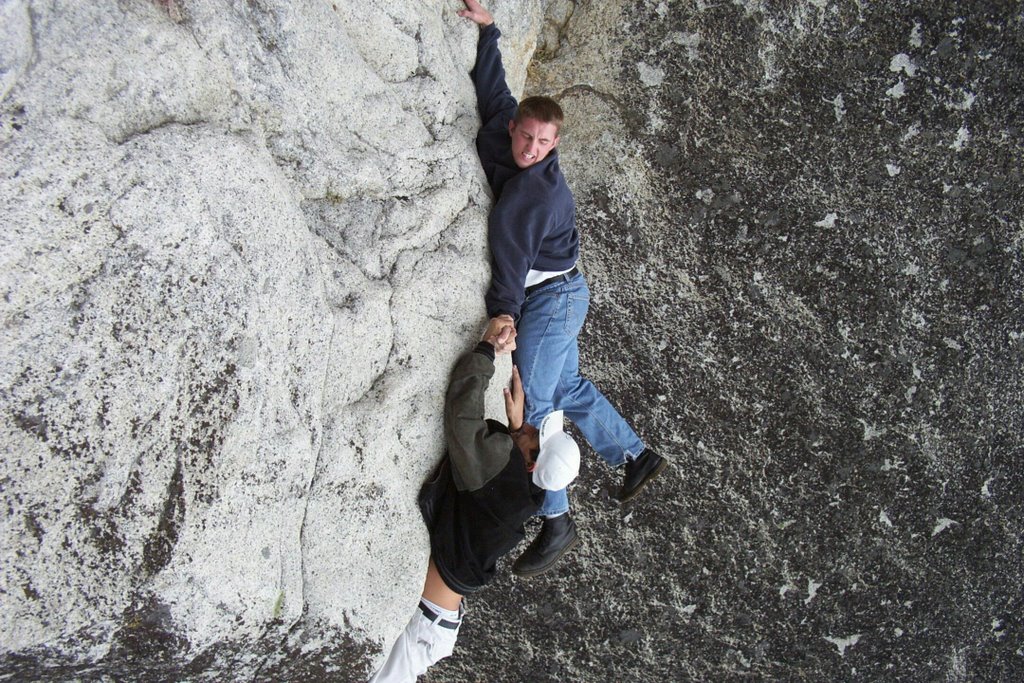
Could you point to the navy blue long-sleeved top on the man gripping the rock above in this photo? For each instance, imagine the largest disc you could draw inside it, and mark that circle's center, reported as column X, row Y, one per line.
column 533, row 225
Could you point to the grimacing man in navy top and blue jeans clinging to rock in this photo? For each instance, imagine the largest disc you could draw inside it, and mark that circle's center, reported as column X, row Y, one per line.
column 536, row 280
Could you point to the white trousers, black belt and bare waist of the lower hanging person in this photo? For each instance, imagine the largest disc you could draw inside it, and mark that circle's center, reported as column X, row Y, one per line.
column 430, row 636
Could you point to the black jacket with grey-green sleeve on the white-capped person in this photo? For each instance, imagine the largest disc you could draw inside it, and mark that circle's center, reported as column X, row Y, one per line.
column 476, row 504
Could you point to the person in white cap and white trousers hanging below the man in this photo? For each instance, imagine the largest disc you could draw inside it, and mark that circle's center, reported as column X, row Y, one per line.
column 491, row 482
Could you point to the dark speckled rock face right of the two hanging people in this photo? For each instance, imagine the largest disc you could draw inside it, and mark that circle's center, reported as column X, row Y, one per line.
column 814, row 304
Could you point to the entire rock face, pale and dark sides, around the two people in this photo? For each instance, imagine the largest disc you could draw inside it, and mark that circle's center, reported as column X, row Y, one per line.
column 244, row 242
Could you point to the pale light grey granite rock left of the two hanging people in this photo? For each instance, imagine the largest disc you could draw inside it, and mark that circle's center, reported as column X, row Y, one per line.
column 244, row 244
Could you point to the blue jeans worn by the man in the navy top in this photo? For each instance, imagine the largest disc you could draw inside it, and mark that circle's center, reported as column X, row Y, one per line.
column 548, row 357
